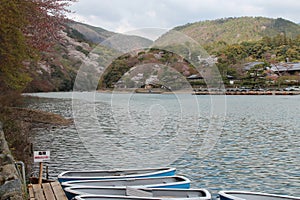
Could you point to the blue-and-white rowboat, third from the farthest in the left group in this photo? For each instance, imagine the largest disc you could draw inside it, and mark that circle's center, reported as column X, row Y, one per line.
column 161, row 193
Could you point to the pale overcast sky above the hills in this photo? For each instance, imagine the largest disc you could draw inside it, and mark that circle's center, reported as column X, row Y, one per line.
column 126, row 15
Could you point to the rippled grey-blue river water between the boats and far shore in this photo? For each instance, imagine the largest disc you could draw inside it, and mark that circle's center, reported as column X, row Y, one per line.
column 220, row 143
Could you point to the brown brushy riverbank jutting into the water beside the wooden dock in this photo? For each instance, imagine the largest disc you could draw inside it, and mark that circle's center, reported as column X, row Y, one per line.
column 19, row 130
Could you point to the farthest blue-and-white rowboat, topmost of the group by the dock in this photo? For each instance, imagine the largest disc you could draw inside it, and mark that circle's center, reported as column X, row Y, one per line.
column 113, row 174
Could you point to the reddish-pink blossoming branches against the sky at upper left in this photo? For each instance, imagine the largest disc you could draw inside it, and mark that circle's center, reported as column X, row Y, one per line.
column 46, row 19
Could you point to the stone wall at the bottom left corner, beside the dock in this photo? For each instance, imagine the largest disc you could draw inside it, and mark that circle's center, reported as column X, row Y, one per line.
column 10, row 183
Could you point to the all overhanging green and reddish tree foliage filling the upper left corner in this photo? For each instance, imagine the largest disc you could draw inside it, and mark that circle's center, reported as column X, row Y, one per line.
column 27, row 27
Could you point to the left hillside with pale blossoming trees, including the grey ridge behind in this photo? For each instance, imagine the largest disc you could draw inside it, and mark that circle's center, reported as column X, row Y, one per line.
column 57, row 70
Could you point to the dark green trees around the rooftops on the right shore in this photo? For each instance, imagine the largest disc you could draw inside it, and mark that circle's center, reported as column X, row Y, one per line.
column 269, row 50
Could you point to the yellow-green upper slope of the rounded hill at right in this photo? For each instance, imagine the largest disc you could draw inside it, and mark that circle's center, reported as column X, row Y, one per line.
column 236, row 30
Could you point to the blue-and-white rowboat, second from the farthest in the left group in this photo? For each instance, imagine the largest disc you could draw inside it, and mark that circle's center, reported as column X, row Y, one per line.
column 153, row 182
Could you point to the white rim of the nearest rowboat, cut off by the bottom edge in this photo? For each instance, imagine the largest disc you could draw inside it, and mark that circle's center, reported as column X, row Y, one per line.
column 97, row 197
